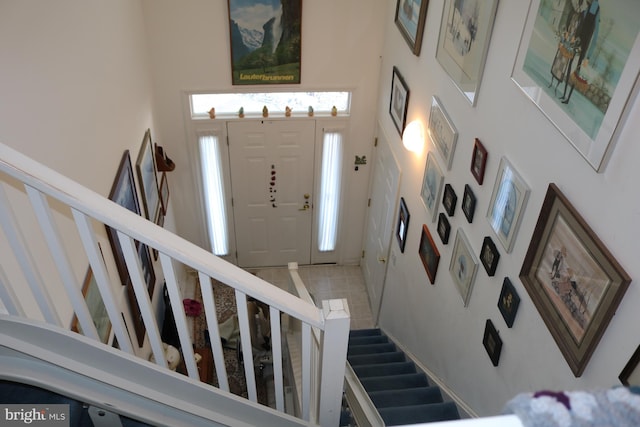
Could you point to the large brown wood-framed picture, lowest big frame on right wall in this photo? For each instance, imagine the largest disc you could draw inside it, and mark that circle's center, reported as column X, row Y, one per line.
column 572, row 278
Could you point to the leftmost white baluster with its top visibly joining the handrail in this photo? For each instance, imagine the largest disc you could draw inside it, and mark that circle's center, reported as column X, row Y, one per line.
column 59, row 254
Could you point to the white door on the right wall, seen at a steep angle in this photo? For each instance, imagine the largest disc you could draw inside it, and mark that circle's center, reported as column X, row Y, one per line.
column 384, row 195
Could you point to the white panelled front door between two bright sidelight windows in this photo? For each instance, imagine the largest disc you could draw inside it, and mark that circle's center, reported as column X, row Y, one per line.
column 272, row 183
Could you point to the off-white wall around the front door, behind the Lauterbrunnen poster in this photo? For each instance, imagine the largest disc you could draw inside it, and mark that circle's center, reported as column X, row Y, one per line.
column 189, row 48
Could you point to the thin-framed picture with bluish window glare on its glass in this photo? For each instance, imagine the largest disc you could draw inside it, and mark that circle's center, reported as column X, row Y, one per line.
column 508, row 200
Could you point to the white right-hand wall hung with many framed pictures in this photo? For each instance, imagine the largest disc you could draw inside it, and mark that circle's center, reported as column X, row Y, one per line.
column 431, row 320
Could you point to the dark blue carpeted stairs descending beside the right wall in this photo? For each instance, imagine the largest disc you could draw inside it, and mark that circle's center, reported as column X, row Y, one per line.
column 399, row 391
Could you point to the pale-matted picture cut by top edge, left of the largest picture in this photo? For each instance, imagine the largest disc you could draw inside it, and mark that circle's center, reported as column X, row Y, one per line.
column 465, row 31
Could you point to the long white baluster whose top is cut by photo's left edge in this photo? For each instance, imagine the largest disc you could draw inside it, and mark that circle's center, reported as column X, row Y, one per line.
column 25, row 260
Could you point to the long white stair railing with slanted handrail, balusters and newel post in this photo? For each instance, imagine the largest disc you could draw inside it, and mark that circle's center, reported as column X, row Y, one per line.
column 68, row 215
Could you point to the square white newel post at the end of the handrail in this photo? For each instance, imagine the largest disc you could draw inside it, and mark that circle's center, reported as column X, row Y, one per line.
column 333, row 361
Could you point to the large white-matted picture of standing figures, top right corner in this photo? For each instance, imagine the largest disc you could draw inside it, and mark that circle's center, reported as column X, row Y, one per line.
column 579, row 63
